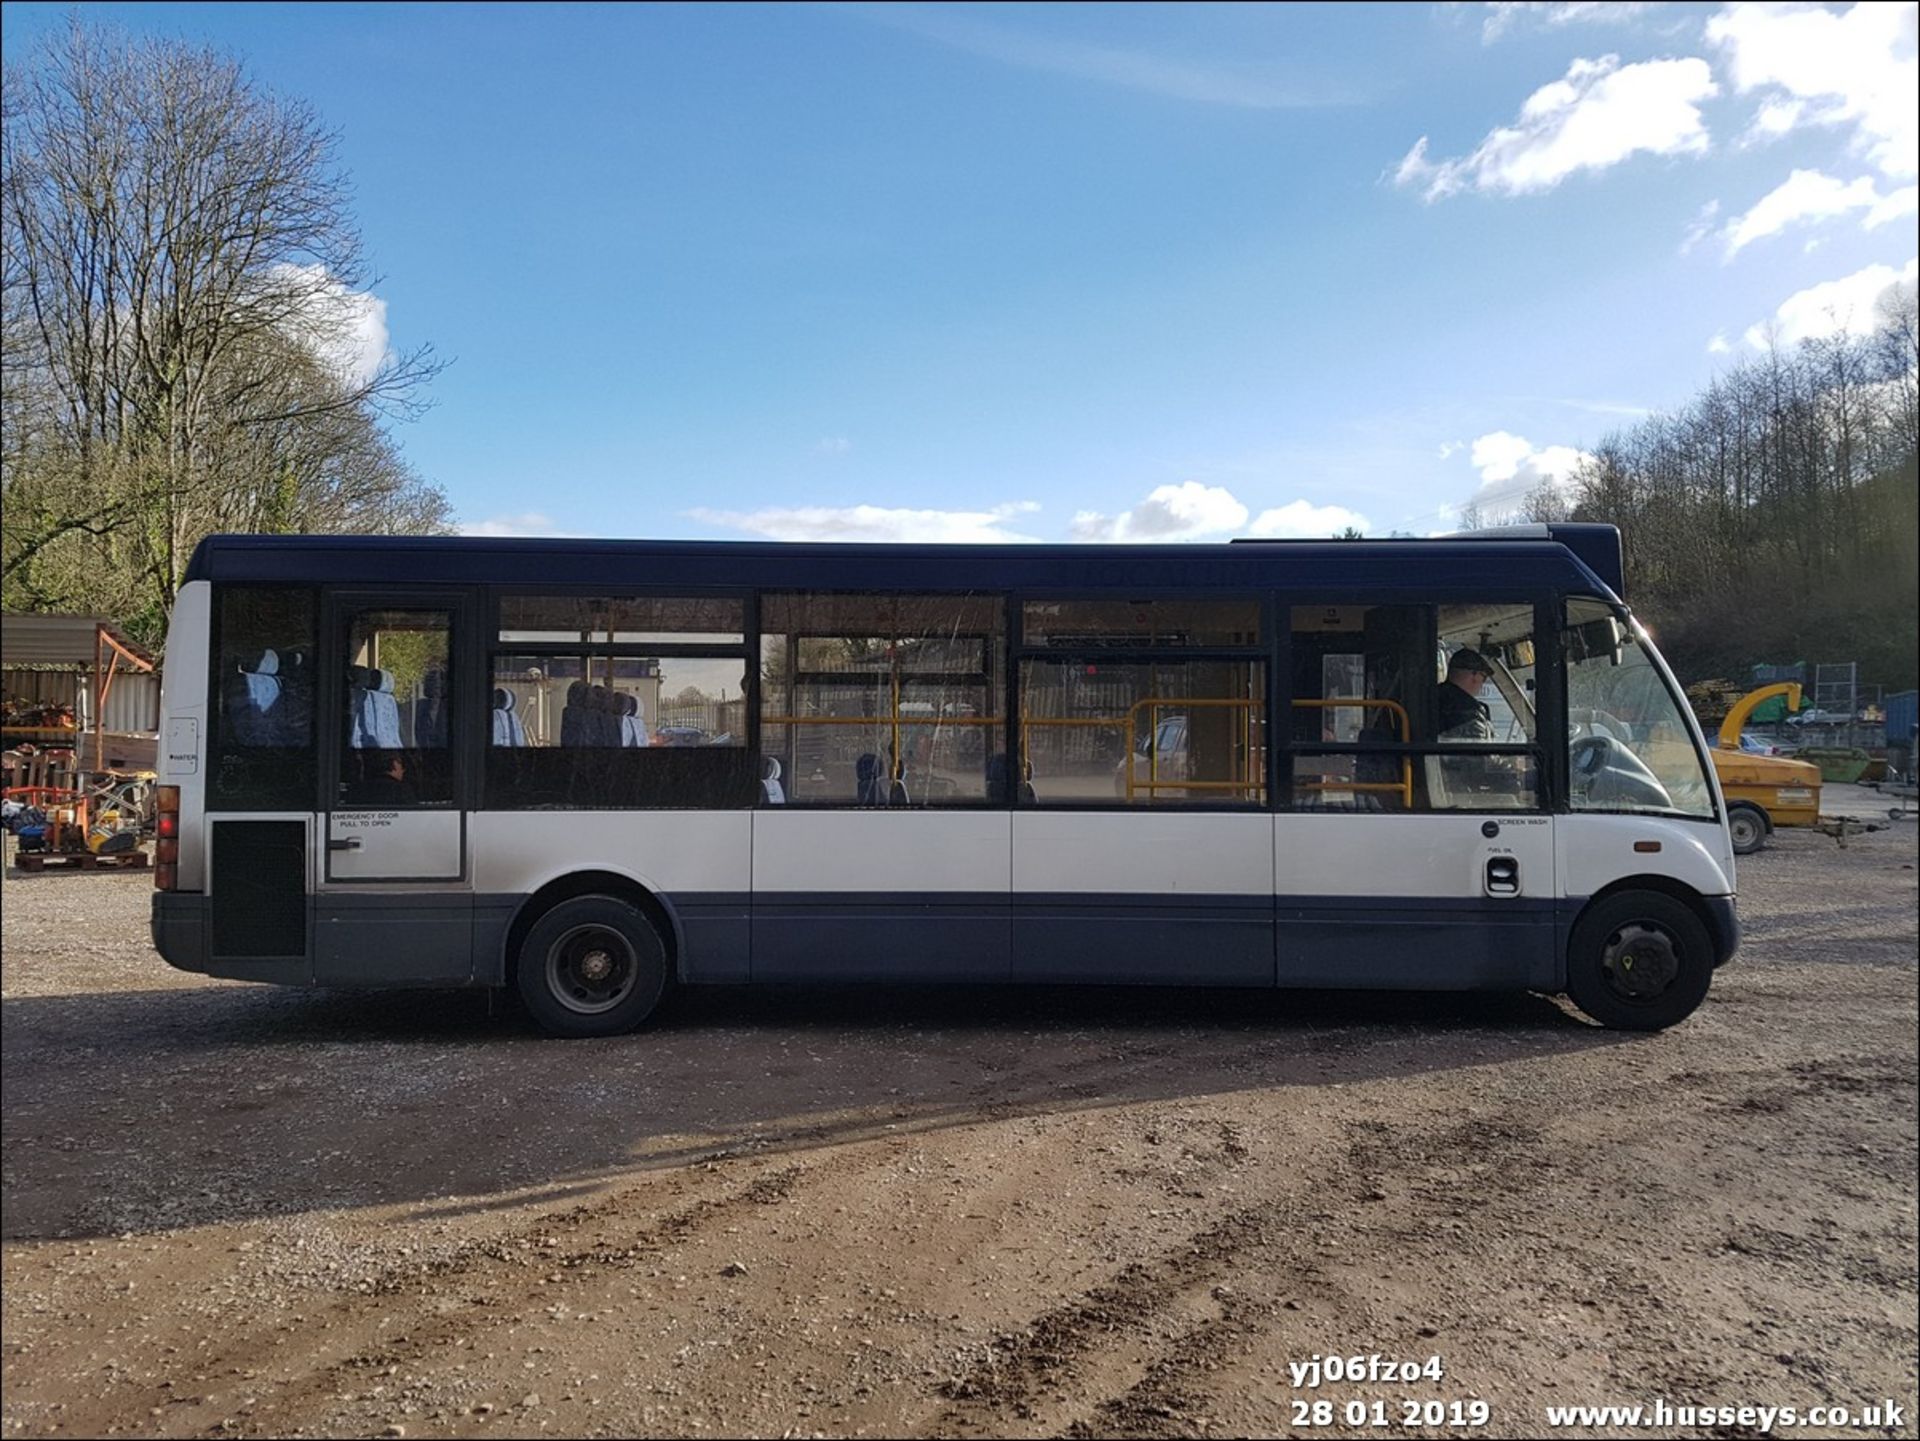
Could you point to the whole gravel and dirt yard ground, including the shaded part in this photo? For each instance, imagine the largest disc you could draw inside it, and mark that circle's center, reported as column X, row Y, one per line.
column 245, row 1212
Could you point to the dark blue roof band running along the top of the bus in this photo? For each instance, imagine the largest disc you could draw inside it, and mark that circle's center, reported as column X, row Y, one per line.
column 1525, row 559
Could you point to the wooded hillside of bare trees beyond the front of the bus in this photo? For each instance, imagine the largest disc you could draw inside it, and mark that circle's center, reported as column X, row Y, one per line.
column 1773, row 519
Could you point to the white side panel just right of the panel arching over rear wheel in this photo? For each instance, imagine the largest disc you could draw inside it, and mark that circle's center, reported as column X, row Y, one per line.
column 873, row 851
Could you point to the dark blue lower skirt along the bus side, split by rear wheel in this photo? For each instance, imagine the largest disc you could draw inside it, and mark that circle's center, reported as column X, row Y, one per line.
column 1105, row 939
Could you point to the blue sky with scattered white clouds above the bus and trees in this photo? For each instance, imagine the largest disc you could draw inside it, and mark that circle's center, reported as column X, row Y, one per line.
column 1078, row 272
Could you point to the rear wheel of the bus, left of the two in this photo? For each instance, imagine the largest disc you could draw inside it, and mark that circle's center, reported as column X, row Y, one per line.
column 592, row 966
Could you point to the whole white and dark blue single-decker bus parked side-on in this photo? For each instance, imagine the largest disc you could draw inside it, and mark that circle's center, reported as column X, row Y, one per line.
column 594, row 770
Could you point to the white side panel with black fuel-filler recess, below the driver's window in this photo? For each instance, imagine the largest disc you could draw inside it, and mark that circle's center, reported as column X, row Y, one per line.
column 1408, row 857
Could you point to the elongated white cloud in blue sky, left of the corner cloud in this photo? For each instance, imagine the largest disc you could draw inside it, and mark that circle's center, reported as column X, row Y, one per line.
column 1596, row 116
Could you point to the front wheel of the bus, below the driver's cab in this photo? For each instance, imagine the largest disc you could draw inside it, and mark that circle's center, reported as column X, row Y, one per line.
column 1639, row 960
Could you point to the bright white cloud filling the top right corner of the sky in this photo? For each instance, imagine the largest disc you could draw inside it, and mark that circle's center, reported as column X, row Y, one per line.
column 1815, row 66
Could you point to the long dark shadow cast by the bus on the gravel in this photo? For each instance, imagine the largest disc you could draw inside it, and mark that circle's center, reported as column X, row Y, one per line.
column 139, row 1112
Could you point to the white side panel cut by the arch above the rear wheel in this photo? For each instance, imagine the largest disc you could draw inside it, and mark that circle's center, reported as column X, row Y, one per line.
column 667, row 851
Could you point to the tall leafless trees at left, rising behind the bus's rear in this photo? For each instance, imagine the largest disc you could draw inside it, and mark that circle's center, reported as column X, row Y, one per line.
column 180, row 306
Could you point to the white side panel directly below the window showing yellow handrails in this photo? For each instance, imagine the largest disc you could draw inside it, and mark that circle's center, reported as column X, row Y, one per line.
column 1143, row 855
